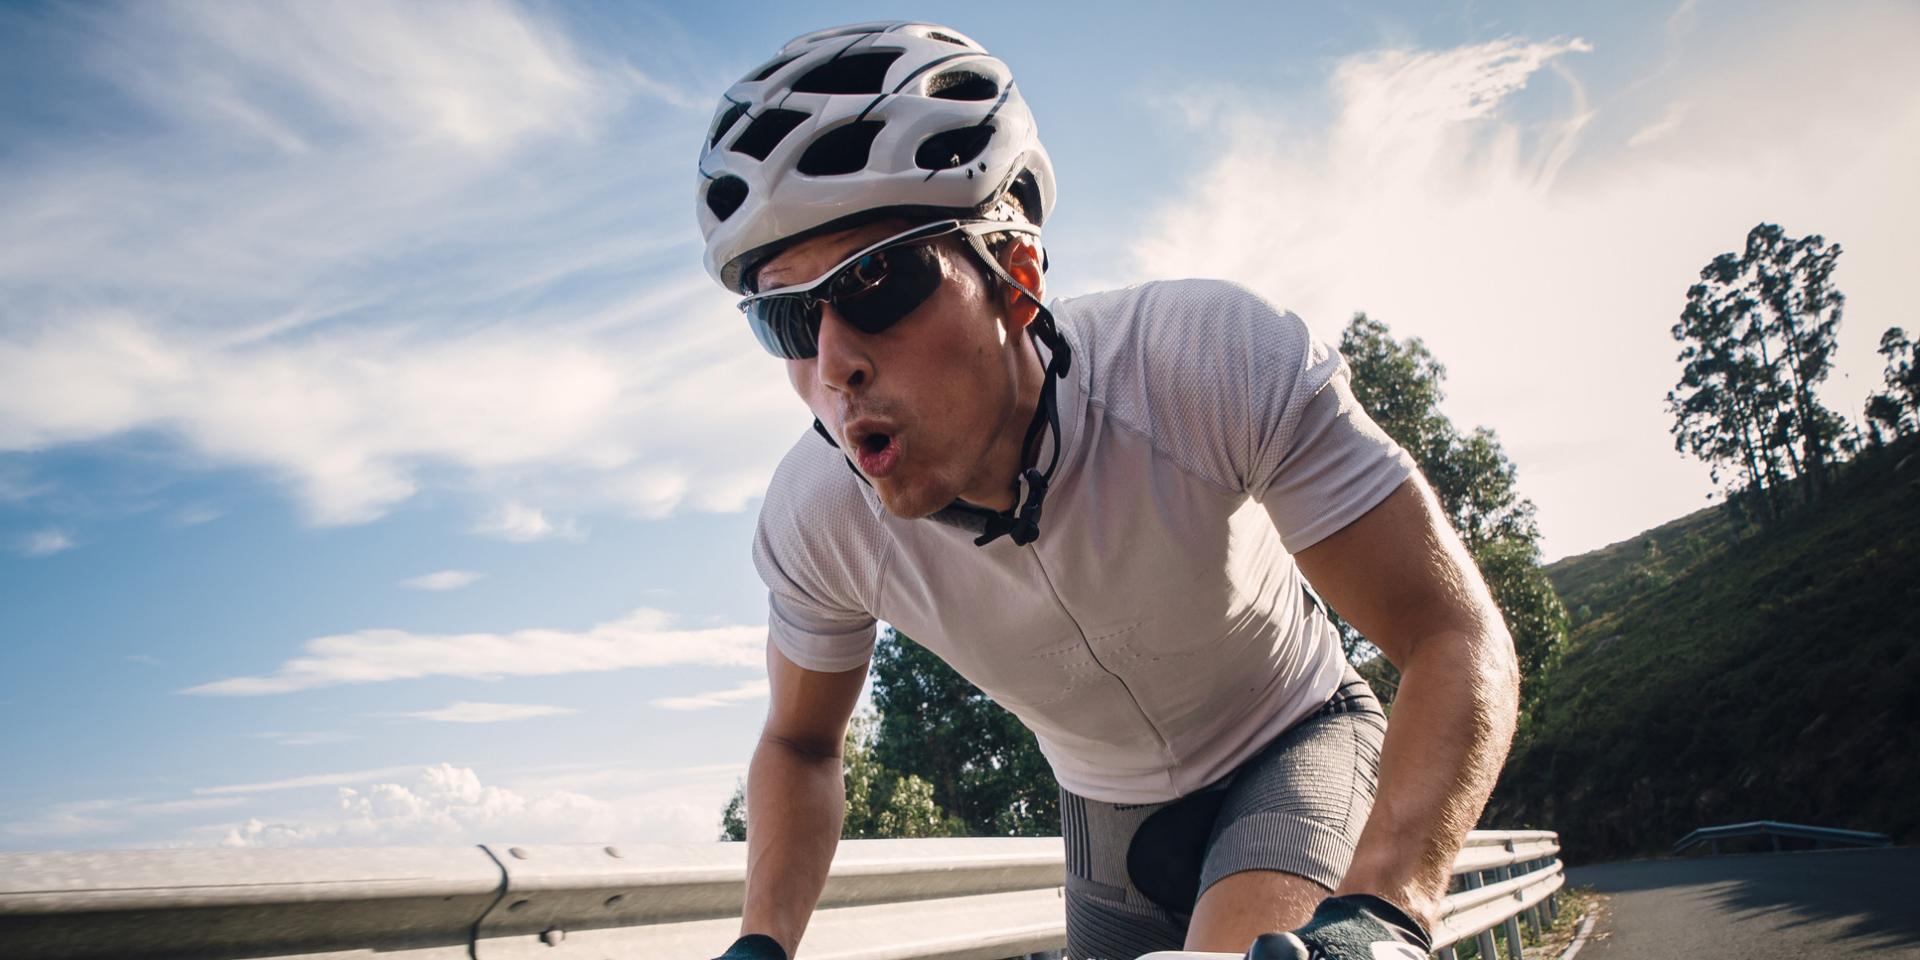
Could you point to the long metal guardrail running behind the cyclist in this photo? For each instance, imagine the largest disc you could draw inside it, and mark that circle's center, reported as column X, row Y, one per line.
column 921, row 900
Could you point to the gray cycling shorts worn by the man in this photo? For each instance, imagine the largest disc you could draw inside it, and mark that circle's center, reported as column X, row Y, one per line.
column 1138, row 871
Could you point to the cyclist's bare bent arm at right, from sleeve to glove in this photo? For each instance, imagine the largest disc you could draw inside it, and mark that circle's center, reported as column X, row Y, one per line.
column 1403, row 579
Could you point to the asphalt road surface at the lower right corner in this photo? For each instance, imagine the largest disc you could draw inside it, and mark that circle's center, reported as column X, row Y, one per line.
column 1760, row 907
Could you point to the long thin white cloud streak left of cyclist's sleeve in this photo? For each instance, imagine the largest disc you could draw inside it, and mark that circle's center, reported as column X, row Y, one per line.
column 644, row 638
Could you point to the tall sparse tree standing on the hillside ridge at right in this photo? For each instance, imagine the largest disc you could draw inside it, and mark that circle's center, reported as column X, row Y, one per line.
column 1758, row 337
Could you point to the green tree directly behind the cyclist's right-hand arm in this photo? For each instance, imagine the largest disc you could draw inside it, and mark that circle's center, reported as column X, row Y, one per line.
column 1401, row 387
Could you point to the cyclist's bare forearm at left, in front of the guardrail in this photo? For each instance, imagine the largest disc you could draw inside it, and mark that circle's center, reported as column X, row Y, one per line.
column 796, row 804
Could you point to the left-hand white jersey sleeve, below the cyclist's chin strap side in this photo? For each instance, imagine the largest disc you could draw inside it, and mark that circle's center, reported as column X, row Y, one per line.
column 813, row 577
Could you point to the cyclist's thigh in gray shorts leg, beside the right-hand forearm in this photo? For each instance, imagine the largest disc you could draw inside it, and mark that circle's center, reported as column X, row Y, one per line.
column 1301, row 804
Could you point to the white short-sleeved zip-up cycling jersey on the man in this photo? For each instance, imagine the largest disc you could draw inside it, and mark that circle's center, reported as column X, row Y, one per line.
column 1157, row 635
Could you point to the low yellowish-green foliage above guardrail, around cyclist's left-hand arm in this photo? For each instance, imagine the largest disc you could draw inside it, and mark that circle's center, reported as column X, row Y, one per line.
column 880, row 804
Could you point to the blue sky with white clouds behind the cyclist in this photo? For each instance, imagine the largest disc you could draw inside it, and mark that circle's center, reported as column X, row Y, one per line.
column 379, row 466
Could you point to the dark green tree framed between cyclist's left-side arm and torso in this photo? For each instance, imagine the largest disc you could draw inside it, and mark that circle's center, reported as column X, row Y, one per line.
column 982, row 765
